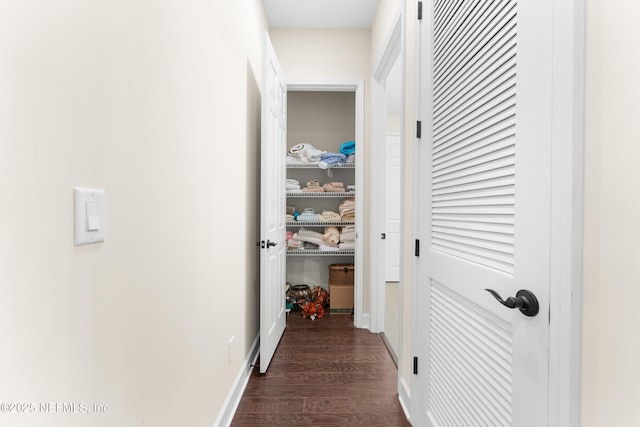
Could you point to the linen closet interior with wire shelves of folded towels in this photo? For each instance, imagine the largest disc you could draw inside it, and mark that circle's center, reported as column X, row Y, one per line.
column 320, row 196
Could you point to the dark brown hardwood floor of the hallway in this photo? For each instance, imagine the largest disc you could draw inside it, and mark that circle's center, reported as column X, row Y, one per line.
column 324, row 373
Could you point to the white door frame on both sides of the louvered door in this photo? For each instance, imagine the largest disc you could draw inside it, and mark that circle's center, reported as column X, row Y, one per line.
column 567, row 177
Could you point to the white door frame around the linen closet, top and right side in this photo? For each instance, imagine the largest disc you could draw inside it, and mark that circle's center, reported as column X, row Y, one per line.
column 360, row 319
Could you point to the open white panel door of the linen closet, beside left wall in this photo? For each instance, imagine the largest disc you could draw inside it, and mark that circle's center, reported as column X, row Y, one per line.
column 272, row 204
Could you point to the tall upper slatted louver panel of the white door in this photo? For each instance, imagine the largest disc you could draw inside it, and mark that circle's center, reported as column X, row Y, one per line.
column 473, row 132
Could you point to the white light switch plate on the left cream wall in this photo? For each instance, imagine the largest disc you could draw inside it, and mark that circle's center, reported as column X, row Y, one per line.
column 90, row 210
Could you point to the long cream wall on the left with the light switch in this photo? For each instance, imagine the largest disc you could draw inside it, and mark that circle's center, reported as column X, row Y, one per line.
column 158, row 103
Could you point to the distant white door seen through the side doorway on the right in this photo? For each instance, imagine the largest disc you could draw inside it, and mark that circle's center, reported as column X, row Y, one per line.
column 392, row 209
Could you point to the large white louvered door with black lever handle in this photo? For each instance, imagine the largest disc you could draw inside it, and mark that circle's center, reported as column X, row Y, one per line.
column 487, row 192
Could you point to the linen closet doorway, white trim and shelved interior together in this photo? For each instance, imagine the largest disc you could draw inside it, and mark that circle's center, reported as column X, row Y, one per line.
column 326, row 115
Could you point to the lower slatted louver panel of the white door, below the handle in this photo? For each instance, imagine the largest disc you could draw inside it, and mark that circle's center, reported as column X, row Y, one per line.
column 470, row 365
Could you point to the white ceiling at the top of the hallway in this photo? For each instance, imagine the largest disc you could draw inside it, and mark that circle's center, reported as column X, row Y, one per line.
column 320, row 13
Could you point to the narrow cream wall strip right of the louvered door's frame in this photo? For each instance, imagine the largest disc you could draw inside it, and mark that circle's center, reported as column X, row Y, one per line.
column 611, row 342
